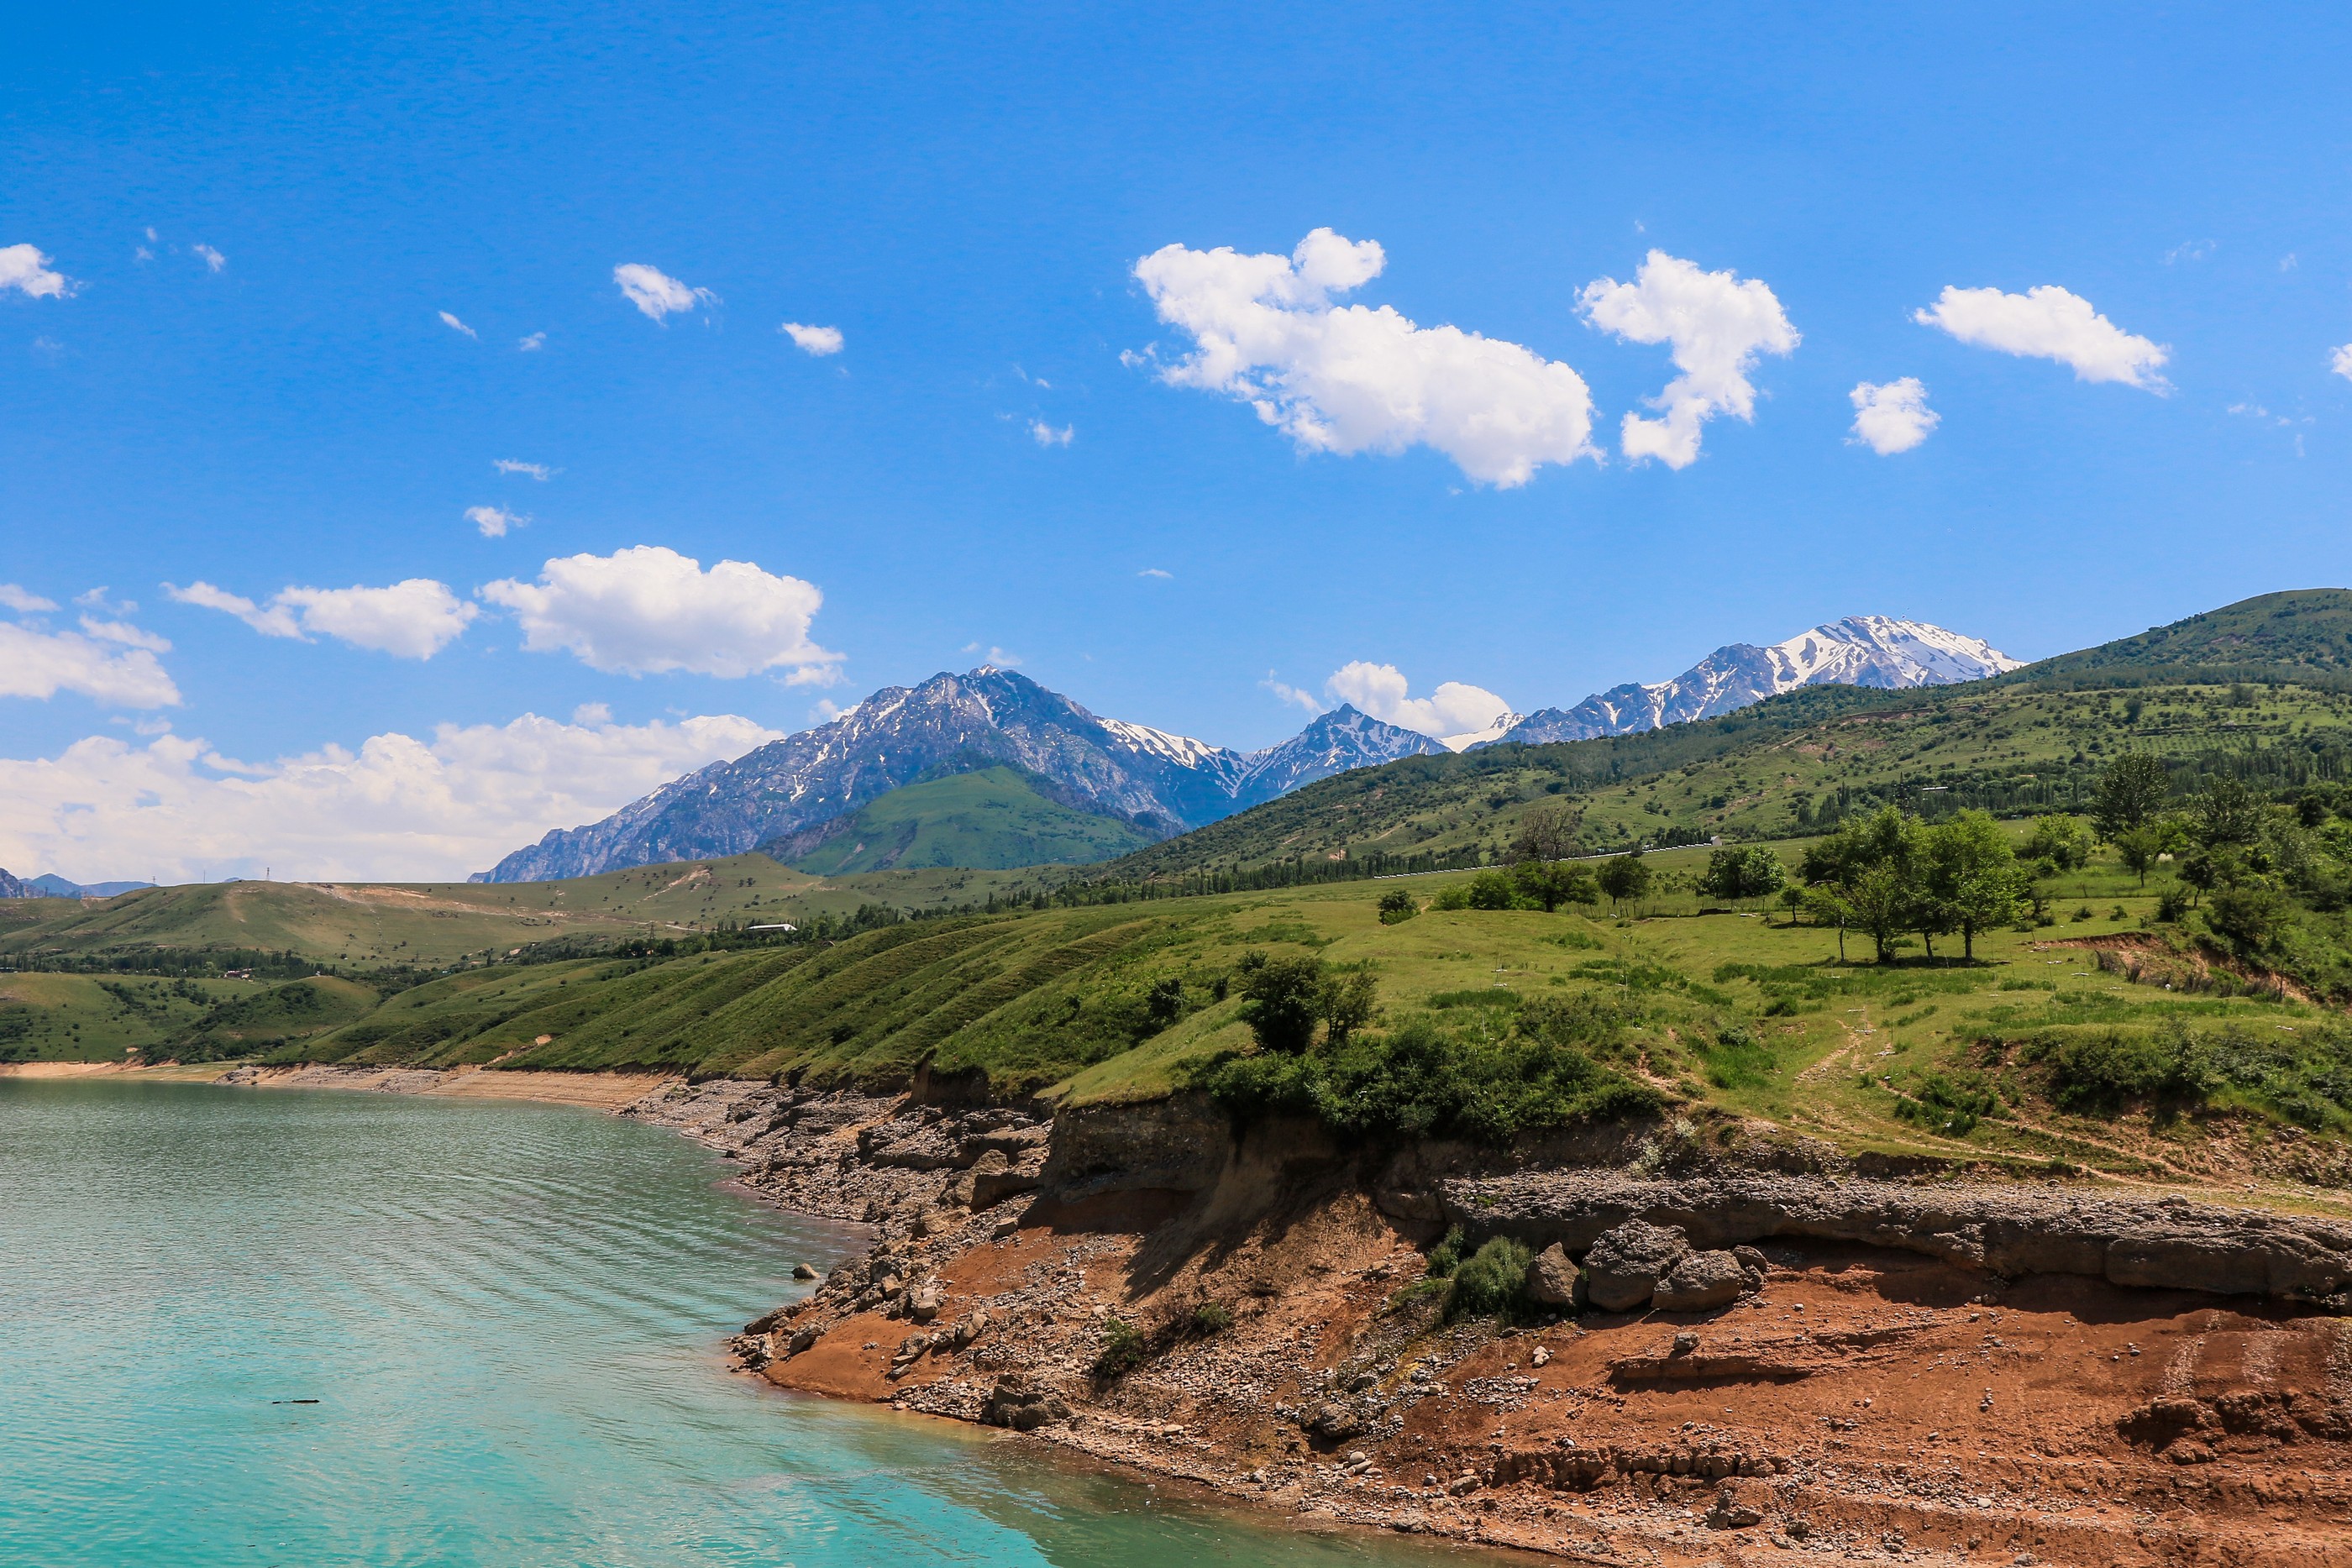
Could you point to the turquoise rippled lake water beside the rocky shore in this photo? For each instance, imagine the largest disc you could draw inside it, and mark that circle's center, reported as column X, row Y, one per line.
column 512, row 1320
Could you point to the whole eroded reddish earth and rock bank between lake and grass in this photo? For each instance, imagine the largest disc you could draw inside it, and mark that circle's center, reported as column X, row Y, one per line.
column 1760, row 1355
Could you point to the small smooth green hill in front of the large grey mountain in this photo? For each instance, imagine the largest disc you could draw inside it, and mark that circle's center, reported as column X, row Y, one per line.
column 989, row 819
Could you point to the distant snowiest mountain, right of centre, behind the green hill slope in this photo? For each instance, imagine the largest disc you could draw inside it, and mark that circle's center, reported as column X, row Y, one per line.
column 1852, row 652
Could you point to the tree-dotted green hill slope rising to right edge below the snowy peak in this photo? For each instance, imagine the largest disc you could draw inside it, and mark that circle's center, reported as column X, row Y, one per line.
column 2029, row 742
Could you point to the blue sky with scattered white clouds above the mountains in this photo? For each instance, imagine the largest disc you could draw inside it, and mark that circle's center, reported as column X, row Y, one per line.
column 965, row 199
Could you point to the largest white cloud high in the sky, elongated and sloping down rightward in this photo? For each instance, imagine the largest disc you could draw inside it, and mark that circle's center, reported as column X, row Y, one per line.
column 1354, row 380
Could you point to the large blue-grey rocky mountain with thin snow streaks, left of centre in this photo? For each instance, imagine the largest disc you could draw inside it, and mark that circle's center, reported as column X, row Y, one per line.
column 956, row 723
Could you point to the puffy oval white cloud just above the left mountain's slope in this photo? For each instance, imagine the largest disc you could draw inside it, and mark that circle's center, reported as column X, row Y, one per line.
column 653, row 610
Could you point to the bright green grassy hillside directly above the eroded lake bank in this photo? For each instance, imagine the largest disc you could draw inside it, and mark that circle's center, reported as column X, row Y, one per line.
column 2033, row 1054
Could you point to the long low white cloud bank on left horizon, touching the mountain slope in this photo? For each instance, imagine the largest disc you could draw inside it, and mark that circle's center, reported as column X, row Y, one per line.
column 392, row 810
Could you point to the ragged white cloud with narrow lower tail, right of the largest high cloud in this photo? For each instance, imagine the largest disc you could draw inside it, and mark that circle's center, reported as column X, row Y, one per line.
column 1716, row 323
